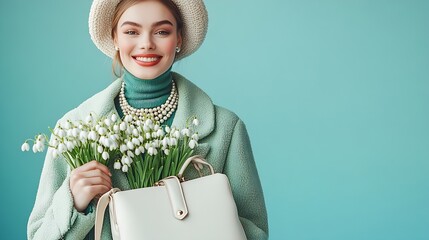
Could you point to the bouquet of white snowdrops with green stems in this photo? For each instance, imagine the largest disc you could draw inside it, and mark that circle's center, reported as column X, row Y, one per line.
column 143, row 149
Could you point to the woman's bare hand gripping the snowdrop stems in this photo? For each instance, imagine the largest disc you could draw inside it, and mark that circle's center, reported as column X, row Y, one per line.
column 88, row 181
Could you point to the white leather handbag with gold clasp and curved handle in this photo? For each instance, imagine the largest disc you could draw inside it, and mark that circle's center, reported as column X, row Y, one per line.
column 202, row 208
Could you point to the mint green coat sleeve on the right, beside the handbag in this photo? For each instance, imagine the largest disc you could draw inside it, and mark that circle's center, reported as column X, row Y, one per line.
column 245, row 184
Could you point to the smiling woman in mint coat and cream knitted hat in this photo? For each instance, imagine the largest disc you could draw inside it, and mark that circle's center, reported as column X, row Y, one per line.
column 145, row 37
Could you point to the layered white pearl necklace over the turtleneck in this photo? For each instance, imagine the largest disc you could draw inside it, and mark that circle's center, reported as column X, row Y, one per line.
column 160, row 113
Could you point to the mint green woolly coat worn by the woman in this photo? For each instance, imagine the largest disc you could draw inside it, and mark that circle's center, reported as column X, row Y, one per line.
column 223, row 142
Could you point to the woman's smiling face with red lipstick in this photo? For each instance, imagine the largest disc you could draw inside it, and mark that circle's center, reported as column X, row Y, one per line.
column 147, row 37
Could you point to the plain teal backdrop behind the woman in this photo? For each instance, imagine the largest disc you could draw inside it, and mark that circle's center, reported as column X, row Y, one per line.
column 334, row 95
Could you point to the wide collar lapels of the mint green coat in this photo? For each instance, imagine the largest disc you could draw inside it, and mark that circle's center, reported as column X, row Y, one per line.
column 192, row 102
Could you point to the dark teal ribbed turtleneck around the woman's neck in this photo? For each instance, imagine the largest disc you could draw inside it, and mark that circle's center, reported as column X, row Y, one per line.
column 143, row 93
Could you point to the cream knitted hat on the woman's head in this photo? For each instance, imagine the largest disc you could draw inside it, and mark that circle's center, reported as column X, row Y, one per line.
column 193, row 13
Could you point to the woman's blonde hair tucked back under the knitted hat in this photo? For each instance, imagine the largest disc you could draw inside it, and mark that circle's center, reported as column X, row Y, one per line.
column 121, row 8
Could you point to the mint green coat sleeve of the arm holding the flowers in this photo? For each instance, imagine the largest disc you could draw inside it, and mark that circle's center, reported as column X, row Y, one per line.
column 53, row 215
